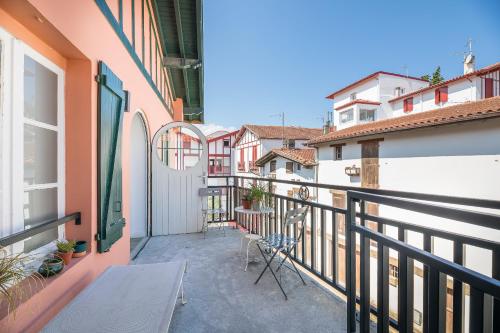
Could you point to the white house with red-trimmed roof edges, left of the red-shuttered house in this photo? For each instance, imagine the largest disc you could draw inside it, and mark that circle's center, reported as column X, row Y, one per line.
column 367, row 99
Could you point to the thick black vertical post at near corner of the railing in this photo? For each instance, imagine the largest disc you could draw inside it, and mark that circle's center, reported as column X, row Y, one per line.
column 351, row 263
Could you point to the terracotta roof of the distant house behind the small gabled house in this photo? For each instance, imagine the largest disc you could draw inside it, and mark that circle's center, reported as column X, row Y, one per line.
column 276, row 132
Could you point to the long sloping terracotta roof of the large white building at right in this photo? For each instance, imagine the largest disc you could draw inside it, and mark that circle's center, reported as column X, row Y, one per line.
column 487, row 108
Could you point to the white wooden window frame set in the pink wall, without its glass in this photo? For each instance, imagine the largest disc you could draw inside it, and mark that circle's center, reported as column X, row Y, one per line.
column 13, row 122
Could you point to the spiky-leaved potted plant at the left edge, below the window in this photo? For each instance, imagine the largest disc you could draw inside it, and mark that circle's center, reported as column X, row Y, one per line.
column 15, row 279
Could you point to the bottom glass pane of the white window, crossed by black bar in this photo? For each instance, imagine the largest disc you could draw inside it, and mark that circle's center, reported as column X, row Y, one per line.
column 39, row 206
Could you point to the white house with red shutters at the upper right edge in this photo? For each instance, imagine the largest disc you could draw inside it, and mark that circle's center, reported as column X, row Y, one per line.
column 470, row 87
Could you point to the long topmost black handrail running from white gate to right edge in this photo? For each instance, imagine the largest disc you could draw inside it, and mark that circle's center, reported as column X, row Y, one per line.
column 482, row 203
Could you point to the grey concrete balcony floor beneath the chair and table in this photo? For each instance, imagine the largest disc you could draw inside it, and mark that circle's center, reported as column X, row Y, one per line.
column 223, row 298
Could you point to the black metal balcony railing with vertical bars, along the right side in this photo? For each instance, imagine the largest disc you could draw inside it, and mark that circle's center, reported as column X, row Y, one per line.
column 332, row 228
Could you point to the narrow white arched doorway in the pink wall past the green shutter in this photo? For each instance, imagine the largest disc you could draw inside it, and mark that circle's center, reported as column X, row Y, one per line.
column 138, row 184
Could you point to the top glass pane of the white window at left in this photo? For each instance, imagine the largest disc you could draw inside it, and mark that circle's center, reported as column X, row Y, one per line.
column 40, row 92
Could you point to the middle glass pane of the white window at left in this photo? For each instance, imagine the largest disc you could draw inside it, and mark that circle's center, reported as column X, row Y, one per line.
column 40, row 155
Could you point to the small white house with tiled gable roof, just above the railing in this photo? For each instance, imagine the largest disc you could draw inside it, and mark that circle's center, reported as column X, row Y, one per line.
column 289, row 164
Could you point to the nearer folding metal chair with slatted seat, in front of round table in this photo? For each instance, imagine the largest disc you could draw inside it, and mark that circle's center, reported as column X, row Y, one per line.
column 276, row 244
